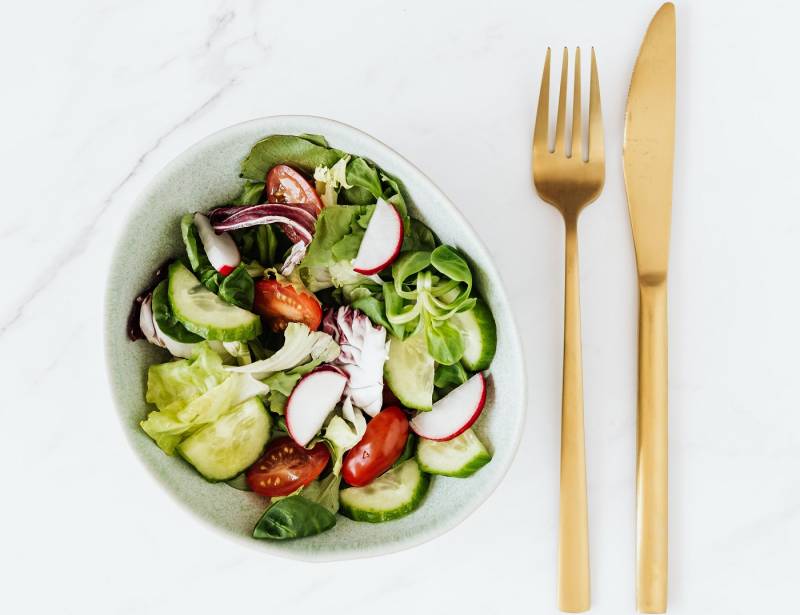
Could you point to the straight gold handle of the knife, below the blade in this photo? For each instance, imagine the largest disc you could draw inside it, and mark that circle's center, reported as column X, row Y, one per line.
column 652, row 450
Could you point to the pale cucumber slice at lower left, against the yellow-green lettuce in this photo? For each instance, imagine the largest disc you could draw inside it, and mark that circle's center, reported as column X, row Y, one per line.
column 229, row 445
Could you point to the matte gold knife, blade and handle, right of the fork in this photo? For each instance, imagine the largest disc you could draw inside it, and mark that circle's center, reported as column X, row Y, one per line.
column 648, row 153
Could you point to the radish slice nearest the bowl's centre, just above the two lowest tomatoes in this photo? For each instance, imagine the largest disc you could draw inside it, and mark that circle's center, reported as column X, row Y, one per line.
column 311, row 401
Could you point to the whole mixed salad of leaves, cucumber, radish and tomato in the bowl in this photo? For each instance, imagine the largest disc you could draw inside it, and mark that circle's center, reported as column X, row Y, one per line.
column 327, row 351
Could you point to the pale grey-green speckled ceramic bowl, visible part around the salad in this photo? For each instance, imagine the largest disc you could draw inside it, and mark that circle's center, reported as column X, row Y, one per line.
column 206, row 175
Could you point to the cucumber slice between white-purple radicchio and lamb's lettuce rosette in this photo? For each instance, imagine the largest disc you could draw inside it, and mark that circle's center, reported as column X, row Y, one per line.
column 409, row 371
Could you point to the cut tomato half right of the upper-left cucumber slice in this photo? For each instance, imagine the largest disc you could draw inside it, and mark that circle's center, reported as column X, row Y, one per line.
column 281, row 304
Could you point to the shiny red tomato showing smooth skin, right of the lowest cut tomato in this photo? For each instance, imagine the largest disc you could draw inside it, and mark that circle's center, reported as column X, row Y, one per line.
column 382, row 444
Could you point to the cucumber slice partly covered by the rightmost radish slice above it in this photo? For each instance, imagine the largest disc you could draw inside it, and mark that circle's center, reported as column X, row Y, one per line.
column 460, row 457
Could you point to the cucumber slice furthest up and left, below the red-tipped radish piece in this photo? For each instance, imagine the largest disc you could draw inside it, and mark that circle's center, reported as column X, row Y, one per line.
column 205, row 314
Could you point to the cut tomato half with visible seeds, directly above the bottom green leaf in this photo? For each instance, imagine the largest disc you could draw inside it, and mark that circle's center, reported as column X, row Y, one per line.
column 286, row 466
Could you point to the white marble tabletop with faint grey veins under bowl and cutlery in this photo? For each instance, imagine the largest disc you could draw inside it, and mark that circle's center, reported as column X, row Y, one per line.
column 100, row 95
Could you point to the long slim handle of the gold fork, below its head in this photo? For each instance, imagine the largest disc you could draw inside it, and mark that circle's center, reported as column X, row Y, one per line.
column 573, row 531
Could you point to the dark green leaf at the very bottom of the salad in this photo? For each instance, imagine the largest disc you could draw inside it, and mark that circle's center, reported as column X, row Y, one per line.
column 294, row 517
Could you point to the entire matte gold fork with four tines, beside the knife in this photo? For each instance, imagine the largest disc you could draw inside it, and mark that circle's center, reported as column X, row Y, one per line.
column 569, row 183
